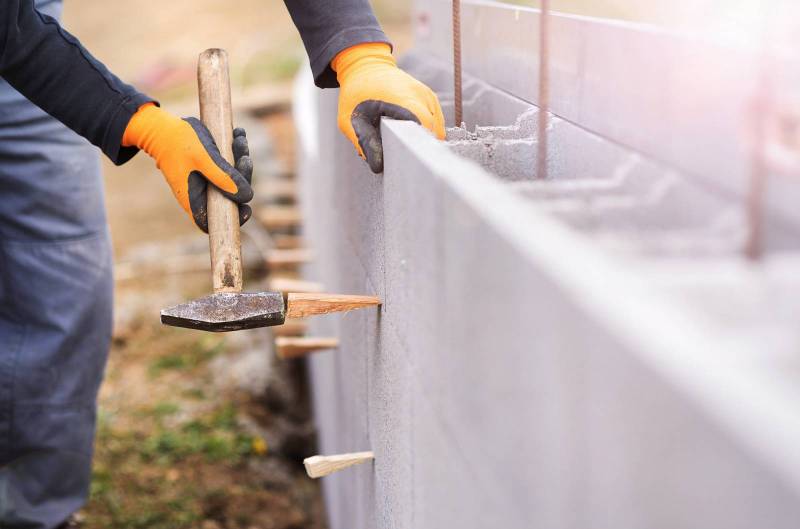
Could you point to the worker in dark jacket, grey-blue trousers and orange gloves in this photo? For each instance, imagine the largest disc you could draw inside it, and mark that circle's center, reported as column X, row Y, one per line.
column 55, row 257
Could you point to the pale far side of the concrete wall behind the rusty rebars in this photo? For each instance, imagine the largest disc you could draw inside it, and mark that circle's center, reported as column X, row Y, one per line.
column 645, row 86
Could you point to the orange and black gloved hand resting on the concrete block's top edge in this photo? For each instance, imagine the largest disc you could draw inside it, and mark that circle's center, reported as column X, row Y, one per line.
column 372, row 86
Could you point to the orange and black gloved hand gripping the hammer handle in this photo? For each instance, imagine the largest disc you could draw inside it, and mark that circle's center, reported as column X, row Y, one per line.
column 187, row 155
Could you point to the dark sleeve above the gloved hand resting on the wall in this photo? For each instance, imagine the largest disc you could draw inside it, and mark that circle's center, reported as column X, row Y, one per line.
column 330, row 26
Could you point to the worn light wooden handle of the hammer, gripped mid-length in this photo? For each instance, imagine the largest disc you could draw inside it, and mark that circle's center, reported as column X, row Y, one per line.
column 223, row 214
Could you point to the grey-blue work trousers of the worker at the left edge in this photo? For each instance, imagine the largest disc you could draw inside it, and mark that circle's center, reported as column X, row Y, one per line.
column 55, row 311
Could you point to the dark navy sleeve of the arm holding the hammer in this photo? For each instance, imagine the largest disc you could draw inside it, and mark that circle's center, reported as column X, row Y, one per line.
column 54, row 71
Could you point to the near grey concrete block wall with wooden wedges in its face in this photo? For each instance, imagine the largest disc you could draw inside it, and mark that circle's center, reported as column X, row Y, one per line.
column 587, row 351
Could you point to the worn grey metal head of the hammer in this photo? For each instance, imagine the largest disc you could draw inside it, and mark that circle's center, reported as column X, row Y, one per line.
column 228, row 311
